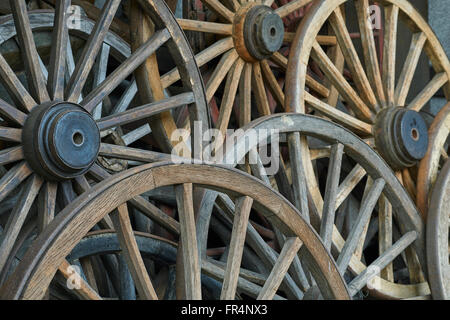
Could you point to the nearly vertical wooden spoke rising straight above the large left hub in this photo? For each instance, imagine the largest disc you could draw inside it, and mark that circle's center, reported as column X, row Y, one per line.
column 60, row 36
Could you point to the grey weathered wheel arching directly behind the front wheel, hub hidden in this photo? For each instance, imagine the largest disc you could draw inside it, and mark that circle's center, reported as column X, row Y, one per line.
column 369, row 179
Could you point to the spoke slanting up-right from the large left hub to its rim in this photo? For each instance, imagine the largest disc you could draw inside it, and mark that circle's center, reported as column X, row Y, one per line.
column 125, row 69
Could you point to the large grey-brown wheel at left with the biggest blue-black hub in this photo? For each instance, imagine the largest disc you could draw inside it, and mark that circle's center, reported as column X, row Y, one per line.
column 53, row 131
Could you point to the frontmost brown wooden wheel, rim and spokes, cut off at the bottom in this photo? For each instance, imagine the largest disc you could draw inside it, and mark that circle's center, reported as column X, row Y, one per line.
column 39, row 265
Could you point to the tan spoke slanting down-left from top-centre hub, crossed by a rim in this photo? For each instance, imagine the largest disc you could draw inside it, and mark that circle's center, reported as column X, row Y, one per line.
column 201, row 58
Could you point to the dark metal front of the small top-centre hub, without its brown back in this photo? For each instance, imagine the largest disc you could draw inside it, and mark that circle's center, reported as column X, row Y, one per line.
column 263, row 32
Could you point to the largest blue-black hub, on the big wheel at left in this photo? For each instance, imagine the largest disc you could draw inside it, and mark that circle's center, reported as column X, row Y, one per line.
column 60, row 140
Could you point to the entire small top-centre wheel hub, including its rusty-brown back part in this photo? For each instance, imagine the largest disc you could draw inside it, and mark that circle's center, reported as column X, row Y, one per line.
column 260, row 32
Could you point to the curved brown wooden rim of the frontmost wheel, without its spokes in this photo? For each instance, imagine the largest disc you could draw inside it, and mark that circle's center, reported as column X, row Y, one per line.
column 56, row 242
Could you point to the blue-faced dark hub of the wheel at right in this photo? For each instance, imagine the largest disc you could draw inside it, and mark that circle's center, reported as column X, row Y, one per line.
column 401, row 137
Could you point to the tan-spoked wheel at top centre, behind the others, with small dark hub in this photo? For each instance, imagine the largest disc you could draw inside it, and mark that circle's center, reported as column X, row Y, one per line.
column 247, row 58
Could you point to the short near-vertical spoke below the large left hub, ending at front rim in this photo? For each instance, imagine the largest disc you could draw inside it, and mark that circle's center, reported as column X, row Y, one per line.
column 46, row 204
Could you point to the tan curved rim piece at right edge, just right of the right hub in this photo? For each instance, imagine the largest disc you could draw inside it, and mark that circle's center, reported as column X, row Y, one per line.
column 437, row 154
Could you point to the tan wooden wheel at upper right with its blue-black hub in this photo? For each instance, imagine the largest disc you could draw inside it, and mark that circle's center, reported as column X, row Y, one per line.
column 376, row 100
